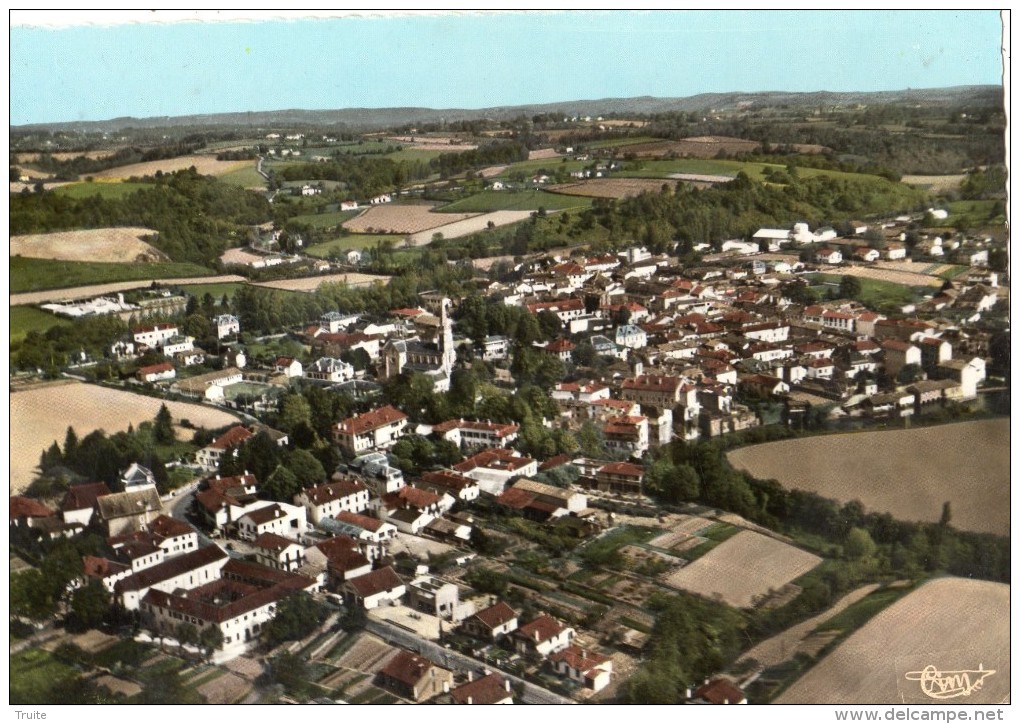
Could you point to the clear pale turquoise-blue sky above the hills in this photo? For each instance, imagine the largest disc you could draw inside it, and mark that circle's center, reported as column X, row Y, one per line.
column 95, row 73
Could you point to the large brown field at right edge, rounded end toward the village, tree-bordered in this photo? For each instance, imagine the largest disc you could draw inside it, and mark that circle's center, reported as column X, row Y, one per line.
column 907, row 474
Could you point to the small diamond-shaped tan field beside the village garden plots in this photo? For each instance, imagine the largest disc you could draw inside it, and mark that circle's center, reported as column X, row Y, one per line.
column 743, row 570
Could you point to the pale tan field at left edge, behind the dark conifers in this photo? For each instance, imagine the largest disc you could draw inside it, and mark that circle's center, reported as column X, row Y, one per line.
column 41, row 416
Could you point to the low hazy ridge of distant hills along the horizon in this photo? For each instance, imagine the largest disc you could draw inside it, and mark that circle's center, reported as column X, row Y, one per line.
column 370, row 119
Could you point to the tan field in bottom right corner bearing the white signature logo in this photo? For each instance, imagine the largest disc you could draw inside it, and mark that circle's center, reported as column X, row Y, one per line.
column 952, row 625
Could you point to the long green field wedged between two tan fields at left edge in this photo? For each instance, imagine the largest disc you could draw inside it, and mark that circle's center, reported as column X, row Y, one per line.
column 38, row 275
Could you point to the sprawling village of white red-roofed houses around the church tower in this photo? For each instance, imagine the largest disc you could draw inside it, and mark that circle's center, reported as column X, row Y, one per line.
column 436, row 578
